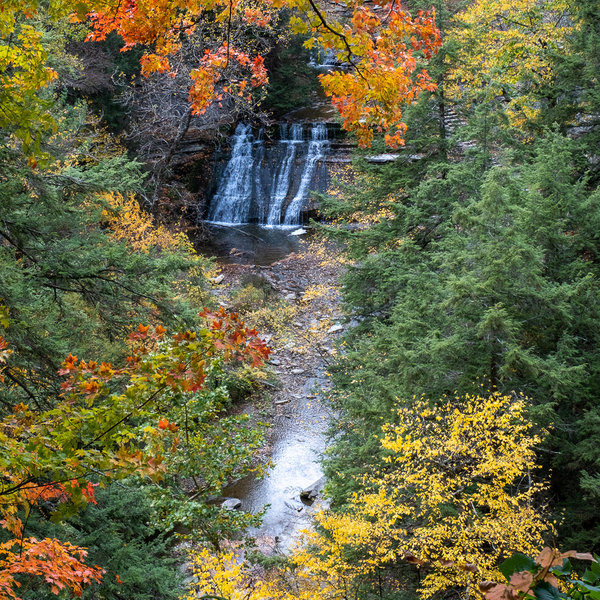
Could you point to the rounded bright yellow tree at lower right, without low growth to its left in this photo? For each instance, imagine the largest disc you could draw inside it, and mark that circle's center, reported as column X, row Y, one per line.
column 463, row 474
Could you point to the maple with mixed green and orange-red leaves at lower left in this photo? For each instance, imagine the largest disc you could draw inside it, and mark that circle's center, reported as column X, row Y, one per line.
column 111, row 422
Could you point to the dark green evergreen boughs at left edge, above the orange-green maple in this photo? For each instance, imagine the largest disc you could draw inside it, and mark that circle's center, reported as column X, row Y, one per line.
column 68, row 285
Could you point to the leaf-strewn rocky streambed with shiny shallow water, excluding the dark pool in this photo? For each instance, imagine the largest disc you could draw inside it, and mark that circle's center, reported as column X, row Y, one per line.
column 301, row 320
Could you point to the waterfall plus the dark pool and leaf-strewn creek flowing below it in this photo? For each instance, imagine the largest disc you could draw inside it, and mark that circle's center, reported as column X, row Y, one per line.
column 255, row 217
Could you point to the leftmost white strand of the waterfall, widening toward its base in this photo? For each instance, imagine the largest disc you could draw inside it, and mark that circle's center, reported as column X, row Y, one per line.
column 231, row 203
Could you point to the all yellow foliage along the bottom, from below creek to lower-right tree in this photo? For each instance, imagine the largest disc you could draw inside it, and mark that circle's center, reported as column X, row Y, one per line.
column 456, row 497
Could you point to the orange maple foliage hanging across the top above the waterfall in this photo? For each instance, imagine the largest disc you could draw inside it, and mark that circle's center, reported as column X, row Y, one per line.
column 380, row 43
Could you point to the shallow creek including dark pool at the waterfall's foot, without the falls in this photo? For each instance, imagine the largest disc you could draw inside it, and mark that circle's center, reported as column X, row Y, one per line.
column 297, row 437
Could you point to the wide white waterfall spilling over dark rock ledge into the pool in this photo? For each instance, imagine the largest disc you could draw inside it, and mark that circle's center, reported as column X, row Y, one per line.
column 268, row 184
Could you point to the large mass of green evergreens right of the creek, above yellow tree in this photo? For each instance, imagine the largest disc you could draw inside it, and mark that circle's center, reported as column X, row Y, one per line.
column 493, row 280
